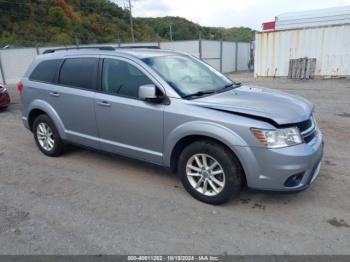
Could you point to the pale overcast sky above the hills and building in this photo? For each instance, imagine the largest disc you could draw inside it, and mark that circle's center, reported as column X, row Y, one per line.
column 226, row 13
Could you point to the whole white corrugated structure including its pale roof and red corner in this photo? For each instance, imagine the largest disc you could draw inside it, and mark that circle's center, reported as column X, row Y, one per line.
column 322, row 34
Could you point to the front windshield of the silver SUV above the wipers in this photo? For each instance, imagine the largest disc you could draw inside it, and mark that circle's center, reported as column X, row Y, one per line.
column 187, row 75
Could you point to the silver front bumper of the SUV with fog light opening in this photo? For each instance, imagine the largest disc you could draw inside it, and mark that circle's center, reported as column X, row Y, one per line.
column 274, row 169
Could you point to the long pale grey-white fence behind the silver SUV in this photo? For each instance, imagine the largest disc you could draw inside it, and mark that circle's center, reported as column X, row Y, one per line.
column 224, row 56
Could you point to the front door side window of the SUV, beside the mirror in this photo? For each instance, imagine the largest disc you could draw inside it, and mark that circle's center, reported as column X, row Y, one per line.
column 122, row 78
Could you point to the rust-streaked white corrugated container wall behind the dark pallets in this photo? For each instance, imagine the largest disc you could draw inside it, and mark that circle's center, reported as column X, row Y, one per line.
column 329, row 45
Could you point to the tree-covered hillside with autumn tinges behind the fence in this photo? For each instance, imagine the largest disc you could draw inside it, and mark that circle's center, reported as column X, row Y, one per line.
column 58, row 22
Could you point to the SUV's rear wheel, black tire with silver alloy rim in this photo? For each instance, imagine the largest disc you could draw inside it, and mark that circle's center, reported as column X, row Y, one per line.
column 54, row 145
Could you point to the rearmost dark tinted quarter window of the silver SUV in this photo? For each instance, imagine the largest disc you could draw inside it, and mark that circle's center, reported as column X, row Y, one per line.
column 45, row 71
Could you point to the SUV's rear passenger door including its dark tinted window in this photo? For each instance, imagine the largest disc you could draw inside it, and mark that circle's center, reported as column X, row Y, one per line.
column 73, row 99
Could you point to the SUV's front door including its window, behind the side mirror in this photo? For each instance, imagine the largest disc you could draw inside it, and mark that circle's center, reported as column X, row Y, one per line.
column 126, row 124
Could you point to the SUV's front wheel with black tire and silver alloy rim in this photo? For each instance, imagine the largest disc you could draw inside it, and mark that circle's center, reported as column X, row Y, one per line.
column 231, row 177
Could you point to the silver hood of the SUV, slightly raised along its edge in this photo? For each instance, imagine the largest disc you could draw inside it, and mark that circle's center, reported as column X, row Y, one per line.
column 277, row 106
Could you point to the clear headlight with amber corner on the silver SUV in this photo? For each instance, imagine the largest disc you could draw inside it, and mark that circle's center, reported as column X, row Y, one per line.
column 279, row 137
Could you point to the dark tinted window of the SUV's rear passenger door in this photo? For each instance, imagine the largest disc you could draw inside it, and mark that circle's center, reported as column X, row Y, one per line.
column 79, row 72
